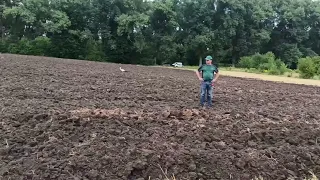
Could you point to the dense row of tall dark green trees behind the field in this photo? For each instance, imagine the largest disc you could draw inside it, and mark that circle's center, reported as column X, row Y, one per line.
column 161, row 31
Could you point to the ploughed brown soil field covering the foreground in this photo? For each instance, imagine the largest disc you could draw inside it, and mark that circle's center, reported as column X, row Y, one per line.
column 68, row 119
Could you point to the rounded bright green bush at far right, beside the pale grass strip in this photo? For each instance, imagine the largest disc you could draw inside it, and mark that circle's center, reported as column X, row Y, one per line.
column 307, row 67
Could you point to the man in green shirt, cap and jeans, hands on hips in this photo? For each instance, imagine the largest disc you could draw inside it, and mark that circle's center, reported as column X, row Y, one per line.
column 208, row 75
